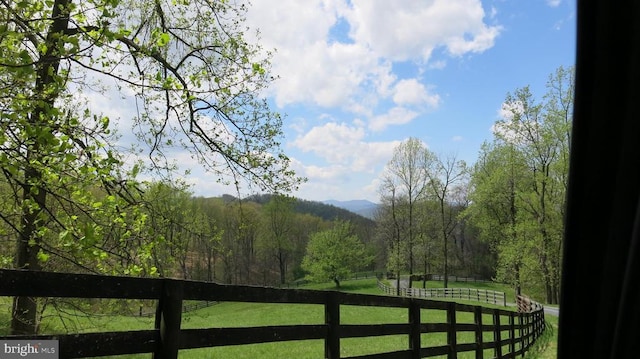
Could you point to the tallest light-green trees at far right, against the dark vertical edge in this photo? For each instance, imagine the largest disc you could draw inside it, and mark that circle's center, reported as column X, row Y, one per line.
column 520, row 185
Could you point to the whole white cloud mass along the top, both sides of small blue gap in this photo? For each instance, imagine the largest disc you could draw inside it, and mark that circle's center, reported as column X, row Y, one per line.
column 314, row 66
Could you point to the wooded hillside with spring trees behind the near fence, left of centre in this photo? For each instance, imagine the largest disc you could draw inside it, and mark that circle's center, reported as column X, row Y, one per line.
column 268, row 240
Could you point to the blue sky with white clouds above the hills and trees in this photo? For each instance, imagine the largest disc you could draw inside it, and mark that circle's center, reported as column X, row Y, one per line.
column 358, row 77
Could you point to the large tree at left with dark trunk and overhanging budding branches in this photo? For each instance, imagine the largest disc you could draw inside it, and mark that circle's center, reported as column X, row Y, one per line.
column 195, row 81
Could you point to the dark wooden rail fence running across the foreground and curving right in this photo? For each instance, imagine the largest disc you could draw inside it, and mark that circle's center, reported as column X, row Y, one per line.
column 513, row 333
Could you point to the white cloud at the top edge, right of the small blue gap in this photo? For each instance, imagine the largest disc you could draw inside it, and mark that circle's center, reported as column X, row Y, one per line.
column 413, row 29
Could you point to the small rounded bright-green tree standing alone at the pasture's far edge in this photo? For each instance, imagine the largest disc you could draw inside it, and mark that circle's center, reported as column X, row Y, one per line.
column 332, row 255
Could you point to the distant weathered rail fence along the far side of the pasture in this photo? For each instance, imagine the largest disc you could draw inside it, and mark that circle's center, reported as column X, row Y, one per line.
column 479, row 295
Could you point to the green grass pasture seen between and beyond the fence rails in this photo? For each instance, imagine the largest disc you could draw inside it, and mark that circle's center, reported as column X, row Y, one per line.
column 258, row 314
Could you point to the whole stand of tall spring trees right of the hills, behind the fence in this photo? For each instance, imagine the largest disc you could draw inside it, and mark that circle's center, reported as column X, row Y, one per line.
column 503, row 216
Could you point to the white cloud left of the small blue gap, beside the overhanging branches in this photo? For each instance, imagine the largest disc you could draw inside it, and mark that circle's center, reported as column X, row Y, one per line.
column 312, row 69
